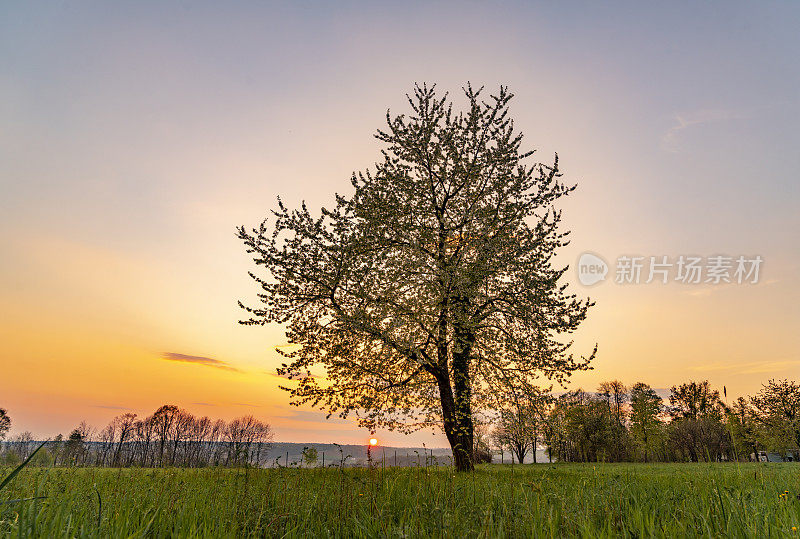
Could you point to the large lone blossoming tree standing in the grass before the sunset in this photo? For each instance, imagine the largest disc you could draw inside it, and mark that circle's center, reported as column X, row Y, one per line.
column 431, row 291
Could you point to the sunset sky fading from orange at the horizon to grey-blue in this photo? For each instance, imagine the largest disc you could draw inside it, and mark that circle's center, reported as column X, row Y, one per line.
column 135, row 137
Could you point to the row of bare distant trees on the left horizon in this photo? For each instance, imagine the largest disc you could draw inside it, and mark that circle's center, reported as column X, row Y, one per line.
column 171, row 436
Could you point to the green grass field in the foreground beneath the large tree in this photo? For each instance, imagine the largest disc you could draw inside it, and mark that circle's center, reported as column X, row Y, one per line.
column 636, row 500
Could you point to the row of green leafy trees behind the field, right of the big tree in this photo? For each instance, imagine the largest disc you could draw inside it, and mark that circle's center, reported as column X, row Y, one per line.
column 619, row 423
